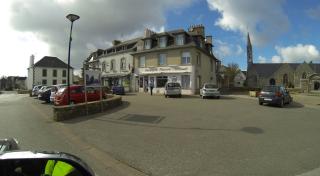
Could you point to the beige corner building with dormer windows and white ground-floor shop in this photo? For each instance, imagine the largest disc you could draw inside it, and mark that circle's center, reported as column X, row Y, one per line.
column 175, row 56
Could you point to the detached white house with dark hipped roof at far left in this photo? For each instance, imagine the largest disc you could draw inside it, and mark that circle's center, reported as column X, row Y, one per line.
column 48, row 71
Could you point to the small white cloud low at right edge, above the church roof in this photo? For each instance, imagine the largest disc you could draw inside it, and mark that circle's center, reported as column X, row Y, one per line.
column 298, row 53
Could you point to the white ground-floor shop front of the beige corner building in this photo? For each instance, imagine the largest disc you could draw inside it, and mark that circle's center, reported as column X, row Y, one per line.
column 159, row 76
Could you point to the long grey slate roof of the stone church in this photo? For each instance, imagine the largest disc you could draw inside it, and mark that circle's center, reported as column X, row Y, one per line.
column 267, row 69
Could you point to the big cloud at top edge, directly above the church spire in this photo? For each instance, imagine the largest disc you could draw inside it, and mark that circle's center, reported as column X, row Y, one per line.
column 265, row 20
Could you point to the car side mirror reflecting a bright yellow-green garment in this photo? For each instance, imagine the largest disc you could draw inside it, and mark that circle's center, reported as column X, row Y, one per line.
column 42, row 163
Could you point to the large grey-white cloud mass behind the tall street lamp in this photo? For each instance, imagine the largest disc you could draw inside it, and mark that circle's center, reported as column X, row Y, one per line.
column 44, row 28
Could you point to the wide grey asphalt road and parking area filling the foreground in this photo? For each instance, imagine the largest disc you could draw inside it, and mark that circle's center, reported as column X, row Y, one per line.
column 187, row 136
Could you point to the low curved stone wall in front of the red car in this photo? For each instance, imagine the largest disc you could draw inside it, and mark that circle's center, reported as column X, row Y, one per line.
column 61, row 113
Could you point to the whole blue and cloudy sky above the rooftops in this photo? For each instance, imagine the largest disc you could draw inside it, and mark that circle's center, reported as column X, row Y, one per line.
column 281, row 31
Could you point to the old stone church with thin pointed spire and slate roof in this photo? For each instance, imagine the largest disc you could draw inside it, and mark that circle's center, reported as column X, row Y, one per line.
column 292, row 75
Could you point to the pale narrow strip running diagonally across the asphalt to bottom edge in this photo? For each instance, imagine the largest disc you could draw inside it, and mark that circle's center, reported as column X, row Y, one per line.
column 99, row 155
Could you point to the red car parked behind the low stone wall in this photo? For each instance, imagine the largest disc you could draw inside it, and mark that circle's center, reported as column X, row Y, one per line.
column 77, row 95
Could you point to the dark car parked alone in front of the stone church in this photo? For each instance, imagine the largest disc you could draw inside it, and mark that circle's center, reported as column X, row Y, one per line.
column 274, row 95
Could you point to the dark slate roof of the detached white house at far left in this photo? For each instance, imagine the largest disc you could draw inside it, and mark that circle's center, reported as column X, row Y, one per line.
column 52, row 62
